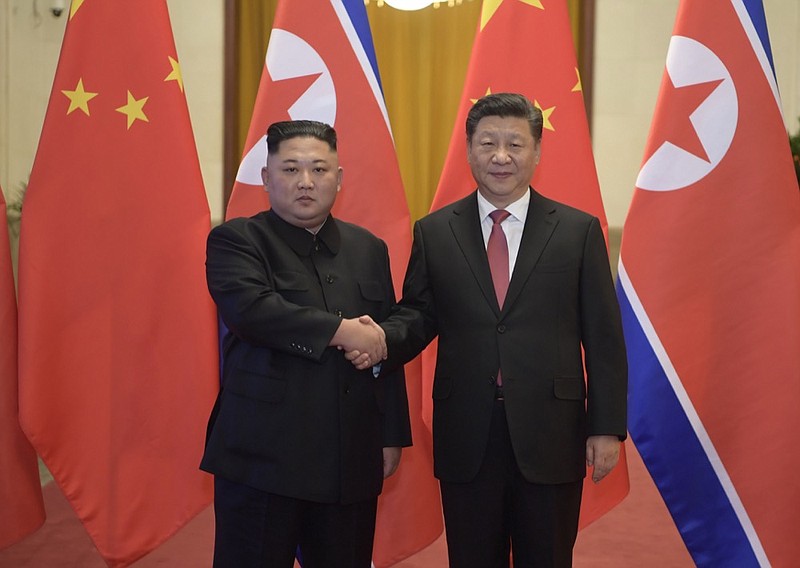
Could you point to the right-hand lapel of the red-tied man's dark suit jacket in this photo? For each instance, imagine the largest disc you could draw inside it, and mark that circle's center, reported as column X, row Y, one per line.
column 539, row 226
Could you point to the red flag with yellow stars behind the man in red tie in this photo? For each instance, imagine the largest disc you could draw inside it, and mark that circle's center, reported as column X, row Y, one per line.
column 525, row 46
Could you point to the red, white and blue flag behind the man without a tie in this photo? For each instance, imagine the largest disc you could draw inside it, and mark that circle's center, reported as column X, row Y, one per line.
column 324, row 69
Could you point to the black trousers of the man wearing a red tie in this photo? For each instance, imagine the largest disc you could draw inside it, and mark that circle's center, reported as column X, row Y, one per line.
column 499, row 513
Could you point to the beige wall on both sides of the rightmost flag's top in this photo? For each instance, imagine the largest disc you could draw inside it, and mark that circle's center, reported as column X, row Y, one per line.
column 630, row 50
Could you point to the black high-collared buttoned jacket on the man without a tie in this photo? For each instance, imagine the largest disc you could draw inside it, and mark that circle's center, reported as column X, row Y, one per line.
column 294, row 417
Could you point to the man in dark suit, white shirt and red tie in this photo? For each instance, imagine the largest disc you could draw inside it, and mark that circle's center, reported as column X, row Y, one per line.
column 514, row 423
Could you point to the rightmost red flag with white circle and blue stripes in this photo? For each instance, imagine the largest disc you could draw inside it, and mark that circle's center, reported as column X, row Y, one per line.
column 708, row 282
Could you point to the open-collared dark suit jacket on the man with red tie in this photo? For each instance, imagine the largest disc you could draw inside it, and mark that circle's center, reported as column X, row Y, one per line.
column 560, row 300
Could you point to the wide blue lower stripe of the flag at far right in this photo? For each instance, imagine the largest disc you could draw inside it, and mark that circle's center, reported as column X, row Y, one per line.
column 675, row 458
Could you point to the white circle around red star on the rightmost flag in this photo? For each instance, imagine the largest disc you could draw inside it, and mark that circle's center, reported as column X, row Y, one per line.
column 689, row 62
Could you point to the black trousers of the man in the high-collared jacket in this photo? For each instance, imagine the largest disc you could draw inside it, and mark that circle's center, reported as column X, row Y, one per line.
column 255, row 529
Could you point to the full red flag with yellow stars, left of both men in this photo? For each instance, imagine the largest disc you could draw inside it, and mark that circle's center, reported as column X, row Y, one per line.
column 118, row 335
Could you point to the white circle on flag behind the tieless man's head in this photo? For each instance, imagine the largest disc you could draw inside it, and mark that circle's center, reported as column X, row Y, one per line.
column 290, row 56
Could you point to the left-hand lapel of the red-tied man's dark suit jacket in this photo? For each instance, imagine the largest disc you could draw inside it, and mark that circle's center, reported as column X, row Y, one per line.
column 466, row 227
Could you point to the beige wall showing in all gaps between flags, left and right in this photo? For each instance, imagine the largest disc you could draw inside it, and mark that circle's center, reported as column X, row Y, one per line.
column 631, row 44
